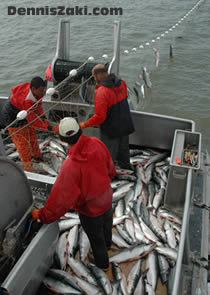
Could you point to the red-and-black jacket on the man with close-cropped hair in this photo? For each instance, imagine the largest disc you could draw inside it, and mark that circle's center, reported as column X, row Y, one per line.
column 112, row 110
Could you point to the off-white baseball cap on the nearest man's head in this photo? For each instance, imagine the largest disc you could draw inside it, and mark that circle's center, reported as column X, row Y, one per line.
column 68, row 127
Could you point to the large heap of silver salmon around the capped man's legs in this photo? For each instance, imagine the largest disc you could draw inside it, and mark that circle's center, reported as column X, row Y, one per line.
column 145, row 237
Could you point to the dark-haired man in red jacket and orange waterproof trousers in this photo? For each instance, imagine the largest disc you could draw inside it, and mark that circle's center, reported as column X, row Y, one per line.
column 23, row 97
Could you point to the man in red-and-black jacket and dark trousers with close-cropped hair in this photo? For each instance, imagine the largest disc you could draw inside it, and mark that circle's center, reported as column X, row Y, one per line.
column 112, row 113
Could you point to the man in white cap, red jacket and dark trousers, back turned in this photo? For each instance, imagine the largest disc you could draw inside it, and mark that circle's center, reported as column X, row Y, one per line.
column 83, row 184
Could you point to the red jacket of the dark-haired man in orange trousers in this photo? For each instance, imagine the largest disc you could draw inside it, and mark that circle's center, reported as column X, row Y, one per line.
column 22, row 99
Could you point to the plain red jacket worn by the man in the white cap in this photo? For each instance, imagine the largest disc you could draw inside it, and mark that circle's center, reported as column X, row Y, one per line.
column 83, row 183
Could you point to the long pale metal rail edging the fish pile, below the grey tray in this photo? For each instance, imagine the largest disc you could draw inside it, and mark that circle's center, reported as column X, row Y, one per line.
column 185, row 220
